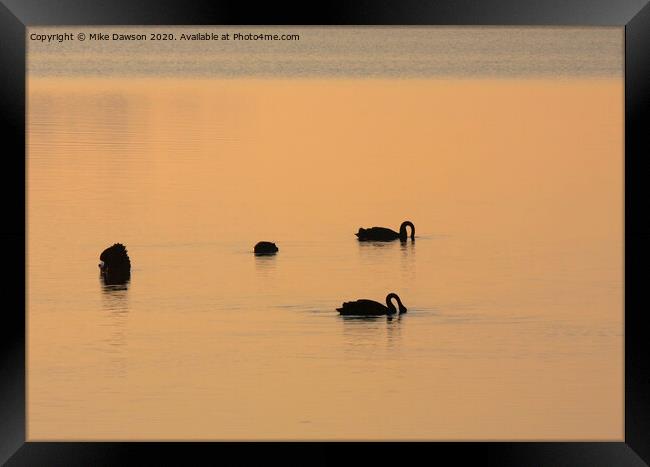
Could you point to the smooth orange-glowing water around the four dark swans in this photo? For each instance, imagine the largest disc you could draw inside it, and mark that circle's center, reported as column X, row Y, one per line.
column 513, row 285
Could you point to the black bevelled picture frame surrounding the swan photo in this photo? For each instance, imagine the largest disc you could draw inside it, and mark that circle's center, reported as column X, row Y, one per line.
column 16, row 15
